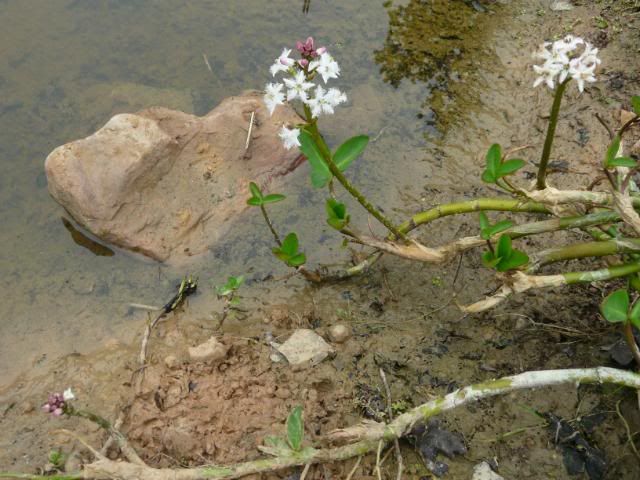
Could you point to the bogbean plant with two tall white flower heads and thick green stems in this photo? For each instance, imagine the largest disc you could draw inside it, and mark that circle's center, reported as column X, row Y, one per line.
column 608, row 216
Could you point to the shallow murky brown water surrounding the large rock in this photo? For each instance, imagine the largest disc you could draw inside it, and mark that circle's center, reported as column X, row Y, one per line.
column 66, row 66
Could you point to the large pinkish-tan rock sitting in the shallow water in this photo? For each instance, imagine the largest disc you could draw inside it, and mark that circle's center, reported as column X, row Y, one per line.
column 166, row 183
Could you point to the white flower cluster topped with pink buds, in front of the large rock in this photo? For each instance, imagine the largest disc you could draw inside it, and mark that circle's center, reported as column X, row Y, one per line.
column 300, row 85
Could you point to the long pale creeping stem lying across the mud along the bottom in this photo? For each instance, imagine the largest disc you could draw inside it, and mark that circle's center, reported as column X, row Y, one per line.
column 364, row 438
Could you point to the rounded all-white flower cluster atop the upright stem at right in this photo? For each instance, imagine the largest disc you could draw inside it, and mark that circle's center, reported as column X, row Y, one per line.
column 561, row 61
